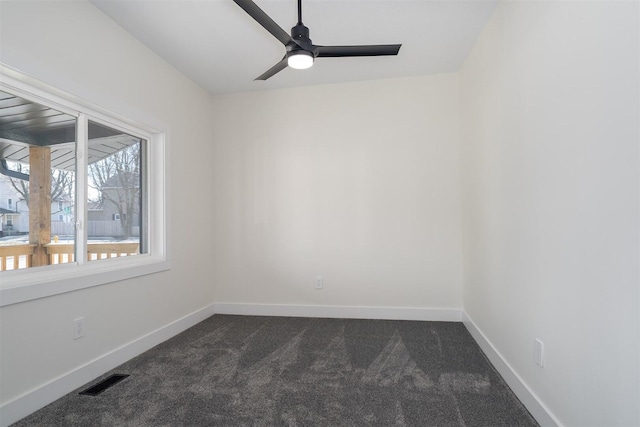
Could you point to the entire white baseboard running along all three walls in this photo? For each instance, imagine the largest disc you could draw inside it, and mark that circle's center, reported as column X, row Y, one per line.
column 30, row 402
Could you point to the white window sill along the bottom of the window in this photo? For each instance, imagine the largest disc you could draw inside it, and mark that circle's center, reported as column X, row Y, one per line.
column 40, row 282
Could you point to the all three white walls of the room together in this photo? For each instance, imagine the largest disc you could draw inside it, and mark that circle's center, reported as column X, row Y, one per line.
column 361, row 183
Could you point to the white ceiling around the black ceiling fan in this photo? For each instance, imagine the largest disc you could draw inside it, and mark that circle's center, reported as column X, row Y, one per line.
column 223, row 49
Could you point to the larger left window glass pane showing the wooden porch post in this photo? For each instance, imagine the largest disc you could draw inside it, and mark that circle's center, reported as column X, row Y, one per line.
column 37, row 179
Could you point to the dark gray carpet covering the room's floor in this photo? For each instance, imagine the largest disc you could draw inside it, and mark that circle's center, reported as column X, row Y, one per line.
column 267, row 371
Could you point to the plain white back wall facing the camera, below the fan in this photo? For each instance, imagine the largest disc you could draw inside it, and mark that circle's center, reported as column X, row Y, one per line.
column 358, row 183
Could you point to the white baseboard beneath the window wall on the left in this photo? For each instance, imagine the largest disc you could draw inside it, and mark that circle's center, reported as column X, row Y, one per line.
column 33, row 400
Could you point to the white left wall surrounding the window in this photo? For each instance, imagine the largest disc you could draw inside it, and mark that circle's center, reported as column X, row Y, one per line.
column 73, row 46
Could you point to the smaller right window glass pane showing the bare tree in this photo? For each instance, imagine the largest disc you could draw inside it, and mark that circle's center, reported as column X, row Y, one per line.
column 116, row 195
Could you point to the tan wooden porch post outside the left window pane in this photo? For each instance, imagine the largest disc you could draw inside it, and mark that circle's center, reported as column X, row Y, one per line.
column 39, row 202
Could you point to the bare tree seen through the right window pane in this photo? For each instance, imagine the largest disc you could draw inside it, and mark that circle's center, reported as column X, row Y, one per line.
column 117, row 181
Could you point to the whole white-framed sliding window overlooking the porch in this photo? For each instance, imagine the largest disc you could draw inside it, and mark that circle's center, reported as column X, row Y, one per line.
column 54, row 148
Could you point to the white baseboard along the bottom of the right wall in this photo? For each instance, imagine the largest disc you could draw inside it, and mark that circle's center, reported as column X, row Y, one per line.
column 540, row 412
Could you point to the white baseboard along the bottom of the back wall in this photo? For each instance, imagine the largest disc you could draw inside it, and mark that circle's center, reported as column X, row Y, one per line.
column 342, row 312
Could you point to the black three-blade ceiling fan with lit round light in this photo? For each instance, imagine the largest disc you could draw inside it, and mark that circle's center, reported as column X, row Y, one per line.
column 300, row 51
